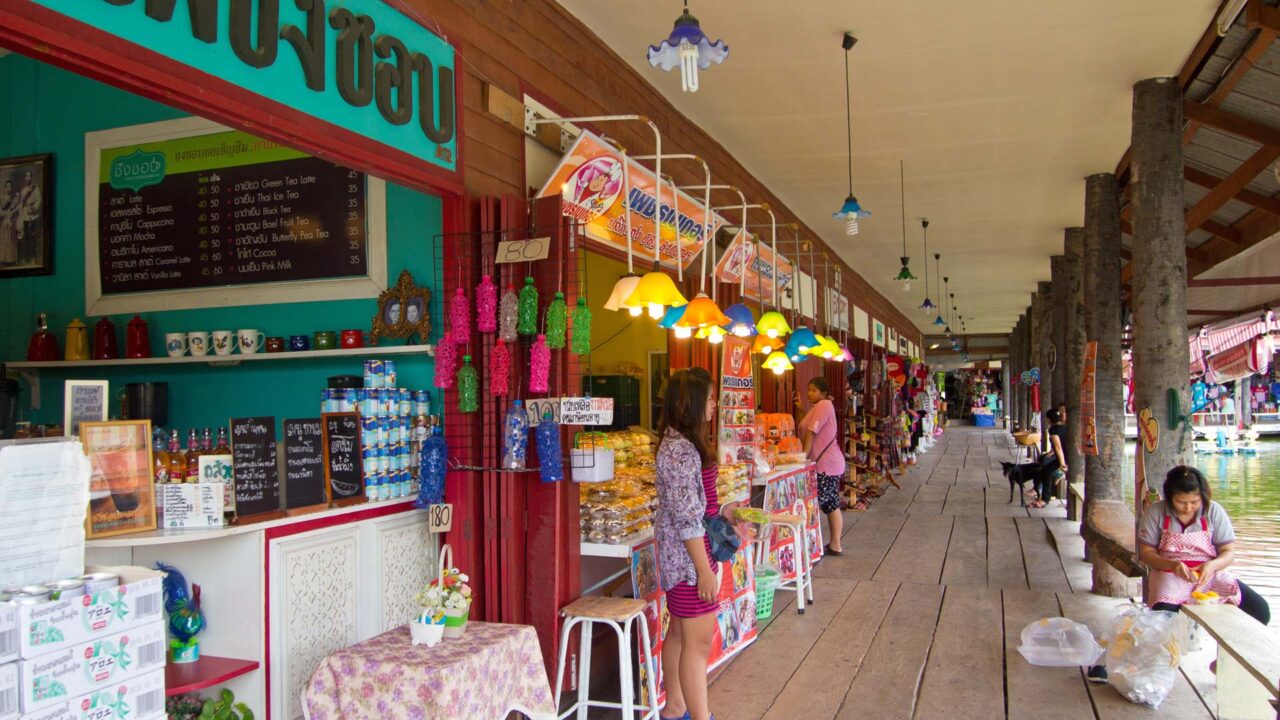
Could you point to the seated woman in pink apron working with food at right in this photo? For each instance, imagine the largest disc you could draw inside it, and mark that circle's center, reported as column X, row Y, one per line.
column 1188, row 543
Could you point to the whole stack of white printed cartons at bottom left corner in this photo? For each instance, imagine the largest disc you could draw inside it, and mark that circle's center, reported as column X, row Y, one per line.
column 97, row 655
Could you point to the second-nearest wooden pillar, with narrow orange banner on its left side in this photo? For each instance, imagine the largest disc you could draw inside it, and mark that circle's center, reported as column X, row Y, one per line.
column 1104, row 473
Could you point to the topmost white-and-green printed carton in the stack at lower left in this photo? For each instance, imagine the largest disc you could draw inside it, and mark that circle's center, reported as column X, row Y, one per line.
column 54, row 626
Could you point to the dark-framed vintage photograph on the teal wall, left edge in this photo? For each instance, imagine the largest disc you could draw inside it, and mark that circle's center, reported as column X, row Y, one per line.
column 26, row 216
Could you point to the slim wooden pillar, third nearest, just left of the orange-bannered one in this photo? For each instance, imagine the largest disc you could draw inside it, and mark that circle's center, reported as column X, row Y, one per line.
column 1073, row 352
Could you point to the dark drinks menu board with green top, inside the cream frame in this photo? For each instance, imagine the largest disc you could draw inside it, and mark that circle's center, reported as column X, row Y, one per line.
column 226, row 209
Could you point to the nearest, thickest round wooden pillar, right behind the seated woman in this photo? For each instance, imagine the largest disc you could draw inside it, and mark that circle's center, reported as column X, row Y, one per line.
column 1160, row 353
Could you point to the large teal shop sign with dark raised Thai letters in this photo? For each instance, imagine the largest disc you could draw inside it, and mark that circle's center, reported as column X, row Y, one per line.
column 359, row 65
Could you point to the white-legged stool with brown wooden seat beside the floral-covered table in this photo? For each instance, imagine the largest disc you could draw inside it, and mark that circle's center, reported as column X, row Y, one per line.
column 618, row 613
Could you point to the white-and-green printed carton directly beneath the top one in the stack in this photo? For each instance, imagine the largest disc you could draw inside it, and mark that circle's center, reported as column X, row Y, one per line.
column 84, row 668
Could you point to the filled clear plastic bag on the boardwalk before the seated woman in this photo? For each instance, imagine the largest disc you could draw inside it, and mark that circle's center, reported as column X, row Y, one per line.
column 1144, row 650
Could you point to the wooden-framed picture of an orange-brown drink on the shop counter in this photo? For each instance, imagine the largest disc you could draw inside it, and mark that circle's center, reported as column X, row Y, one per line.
column 121, row 494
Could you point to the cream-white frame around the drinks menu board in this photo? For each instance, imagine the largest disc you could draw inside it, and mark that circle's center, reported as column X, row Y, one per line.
column 262, row 294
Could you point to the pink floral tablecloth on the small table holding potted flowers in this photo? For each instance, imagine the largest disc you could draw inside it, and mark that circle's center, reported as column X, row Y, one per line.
column 490, row 672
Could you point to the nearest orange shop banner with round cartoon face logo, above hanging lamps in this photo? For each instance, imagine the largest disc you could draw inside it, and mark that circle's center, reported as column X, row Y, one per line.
column 589, row 181
